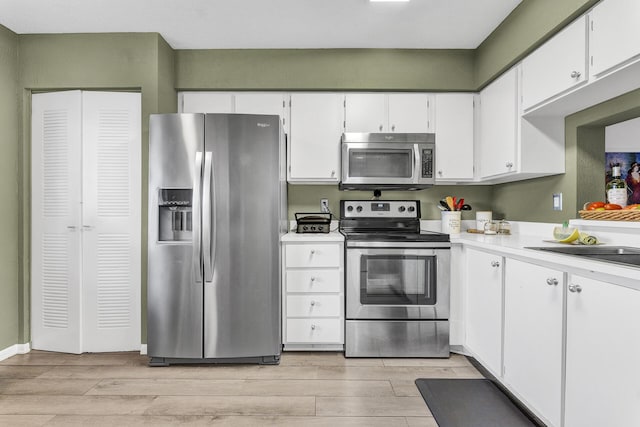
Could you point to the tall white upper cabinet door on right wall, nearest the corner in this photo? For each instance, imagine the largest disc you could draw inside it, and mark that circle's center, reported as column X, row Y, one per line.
column 498, row 126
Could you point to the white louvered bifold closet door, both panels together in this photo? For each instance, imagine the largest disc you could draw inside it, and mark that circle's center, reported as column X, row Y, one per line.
column 101, row 259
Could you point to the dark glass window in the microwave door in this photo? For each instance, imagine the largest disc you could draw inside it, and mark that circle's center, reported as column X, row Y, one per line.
column 379, row 163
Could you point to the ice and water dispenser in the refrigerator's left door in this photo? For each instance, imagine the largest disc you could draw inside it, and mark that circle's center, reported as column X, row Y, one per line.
column 175, row 210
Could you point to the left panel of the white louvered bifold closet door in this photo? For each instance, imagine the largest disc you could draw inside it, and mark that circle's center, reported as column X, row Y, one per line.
column 56, row 258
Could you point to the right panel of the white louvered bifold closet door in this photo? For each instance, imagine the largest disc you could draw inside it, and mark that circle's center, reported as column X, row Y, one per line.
column 111, row 221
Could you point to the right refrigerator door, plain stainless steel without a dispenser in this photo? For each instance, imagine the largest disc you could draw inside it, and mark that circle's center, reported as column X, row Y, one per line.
column 241, row 236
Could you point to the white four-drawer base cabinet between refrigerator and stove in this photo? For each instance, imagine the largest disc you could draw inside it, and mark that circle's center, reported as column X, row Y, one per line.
column 313, row 297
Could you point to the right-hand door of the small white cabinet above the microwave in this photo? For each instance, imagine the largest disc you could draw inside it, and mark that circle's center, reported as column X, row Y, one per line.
column 409, row 112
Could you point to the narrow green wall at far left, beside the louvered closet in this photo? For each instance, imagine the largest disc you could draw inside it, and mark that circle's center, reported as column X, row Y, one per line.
column 9, row 120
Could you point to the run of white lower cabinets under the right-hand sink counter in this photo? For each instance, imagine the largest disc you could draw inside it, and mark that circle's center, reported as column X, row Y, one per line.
column 565, row 345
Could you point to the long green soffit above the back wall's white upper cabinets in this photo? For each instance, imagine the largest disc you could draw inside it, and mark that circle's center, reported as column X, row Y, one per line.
column 326, row 69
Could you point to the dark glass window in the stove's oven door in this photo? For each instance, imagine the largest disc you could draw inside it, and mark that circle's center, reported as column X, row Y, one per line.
column 397, row 280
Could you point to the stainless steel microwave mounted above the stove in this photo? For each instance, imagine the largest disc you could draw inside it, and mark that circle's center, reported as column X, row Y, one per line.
column 379, row 161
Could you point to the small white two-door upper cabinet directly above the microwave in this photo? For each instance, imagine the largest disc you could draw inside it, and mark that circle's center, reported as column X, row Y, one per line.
column 378, row 112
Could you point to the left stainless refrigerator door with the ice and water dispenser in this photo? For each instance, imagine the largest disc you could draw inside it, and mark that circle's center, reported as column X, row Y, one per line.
column 175, row 286
